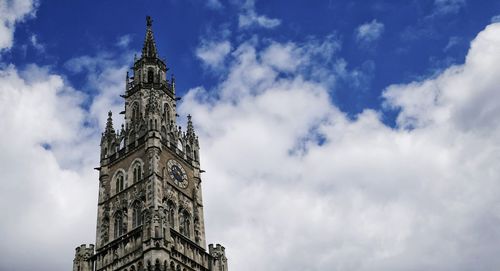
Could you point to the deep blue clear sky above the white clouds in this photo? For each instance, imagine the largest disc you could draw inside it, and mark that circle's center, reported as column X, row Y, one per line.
column 418, row 38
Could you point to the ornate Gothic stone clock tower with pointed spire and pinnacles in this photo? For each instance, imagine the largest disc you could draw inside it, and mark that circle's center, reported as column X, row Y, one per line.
column 150, row 208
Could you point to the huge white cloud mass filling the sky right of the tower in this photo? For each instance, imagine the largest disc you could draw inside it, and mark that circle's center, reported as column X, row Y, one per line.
column 287, row 169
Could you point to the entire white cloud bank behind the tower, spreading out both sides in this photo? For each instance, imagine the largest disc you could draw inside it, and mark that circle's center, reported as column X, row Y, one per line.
column 286, row 169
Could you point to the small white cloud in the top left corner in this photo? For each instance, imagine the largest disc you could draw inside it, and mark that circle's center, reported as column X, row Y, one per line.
column 11, row 13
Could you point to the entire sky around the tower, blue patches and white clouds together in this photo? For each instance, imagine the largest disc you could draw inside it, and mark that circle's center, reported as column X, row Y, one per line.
column 335, row 135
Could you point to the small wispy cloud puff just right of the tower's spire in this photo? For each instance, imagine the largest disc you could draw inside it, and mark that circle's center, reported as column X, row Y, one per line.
column 213, row 53
